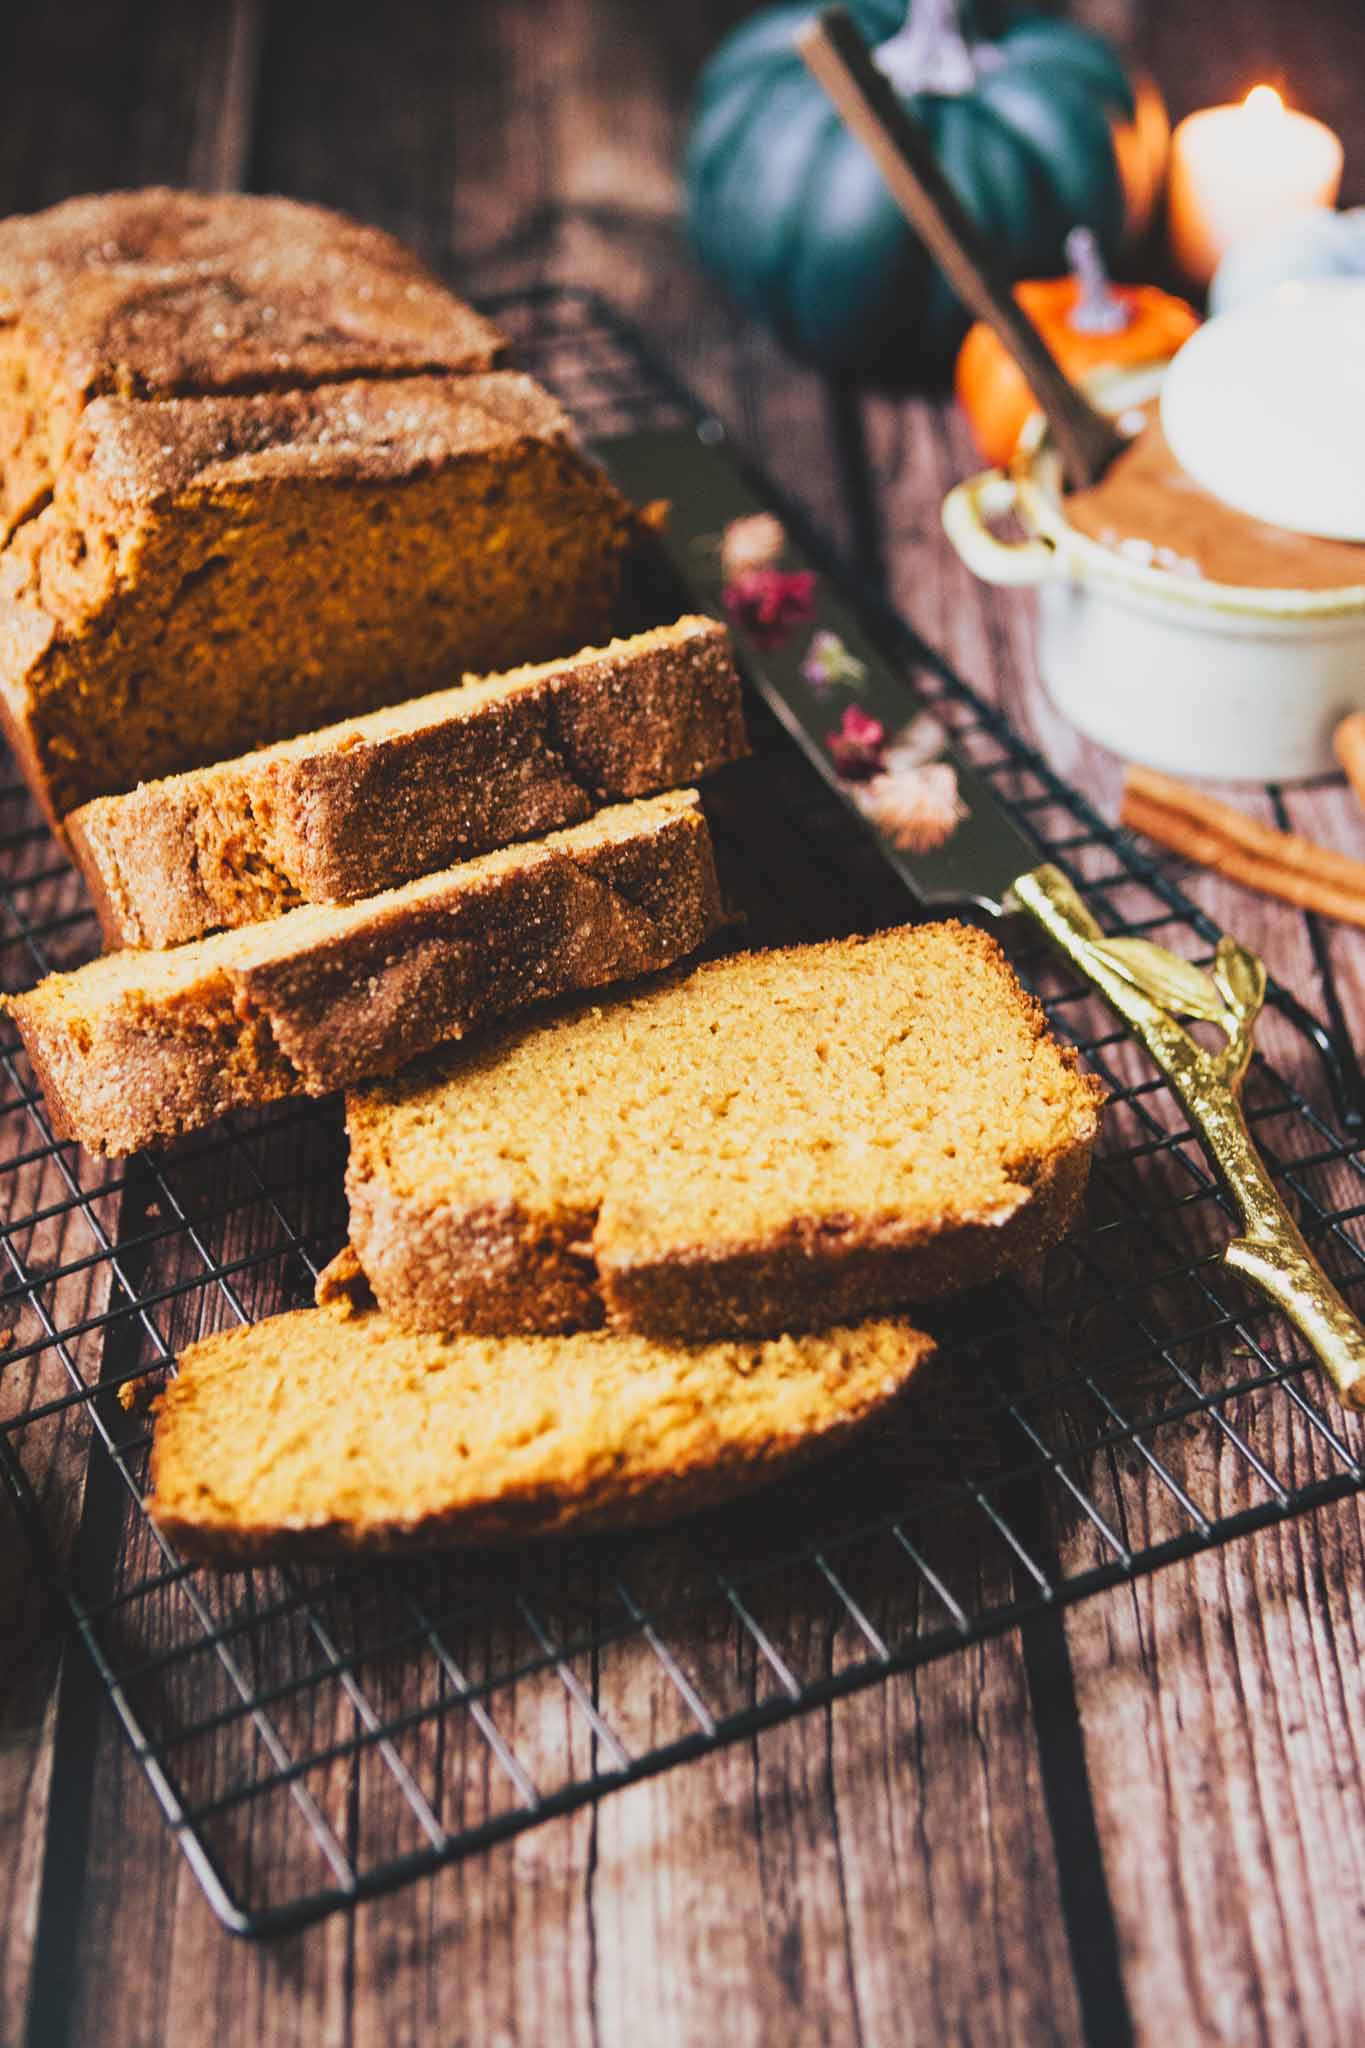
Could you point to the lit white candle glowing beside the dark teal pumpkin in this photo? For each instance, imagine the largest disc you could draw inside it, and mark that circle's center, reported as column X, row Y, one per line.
column 1239, row 171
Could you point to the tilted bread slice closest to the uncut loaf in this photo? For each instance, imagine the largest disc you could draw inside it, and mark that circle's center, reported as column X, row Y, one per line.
column 373, row 802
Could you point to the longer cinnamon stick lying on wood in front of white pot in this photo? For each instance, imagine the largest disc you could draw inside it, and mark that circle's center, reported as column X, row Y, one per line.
column 1229, row 843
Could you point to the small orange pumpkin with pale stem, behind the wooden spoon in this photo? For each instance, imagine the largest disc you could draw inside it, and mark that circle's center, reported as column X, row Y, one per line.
column 1086, row 321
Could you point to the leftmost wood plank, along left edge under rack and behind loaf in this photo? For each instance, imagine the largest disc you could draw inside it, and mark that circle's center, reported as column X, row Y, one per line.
column 109, row 95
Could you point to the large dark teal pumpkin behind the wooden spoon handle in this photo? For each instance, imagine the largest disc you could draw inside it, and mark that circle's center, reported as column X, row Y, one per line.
column 1039, row 130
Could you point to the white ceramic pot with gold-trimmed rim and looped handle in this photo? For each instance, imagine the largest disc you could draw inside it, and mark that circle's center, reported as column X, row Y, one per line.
column 1168, row 671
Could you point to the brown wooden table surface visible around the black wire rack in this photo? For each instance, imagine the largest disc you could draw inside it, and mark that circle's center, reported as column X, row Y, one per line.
column 1141, row 1822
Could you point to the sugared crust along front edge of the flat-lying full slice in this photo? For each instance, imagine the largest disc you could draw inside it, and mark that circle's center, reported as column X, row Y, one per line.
column 502, row 1271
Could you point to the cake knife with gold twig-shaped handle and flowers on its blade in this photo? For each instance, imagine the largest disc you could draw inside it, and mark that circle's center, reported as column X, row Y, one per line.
column 985, row 861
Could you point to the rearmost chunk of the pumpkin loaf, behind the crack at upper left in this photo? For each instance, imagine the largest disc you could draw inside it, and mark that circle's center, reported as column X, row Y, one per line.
column 161, row 294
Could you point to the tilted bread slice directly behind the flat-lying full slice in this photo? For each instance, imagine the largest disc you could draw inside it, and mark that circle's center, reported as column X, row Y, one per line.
column 138, row 1048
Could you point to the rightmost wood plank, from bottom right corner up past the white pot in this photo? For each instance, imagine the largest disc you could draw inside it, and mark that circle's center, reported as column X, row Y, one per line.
column 1219, row 1701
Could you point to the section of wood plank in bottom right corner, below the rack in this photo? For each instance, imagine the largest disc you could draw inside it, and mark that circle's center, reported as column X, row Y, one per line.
column 1223, row 1711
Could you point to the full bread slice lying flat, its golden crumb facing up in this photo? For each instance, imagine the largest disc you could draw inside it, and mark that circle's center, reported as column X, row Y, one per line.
column 770, row 1142
